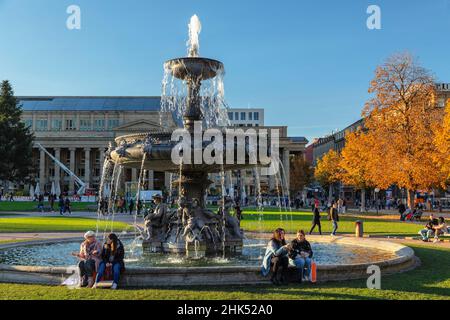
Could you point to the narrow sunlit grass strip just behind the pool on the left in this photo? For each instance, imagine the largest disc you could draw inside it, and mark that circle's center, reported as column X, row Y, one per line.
column 52, row 224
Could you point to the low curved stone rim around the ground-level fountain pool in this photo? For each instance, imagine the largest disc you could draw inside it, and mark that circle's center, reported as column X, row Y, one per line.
column 229, row 275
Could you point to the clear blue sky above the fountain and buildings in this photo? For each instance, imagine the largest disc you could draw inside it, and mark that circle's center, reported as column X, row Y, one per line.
column 308, row 63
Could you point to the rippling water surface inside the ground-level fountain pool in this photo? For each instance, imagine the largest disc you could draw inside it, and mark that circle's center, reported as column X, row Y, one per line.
column 58, row 254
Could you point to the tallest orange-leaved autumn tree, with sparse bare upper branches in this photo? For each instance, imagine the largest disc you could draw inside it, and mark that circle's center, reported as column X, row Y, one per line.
column 399, row 120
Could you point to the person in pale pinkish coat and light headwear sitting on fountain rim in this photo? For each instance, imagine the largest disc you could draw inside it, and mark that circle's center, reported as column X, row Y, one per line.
column 89, row 256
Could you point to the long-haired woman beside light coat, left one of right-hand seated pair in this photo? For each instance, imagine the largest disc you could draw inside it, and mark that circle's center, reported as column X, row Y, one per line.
column 276, row 257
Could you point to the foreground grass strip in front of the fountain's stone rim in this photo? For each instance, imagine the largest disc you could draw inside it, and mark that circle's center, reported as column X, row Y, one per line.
column 430, row 281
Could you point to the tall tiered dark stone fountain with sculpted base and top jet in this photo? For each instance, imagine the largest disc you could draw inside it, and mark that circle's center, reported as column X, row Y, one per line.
column 192, row 227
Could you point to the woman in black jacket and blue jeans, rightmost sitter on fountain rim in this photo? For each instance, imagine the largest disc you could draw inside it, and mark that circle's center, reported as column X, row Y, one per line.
column 300, row 255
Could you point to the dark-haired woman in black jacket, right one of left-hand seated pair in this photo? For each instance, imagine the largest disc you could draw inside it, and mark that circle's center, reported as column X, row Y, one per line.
column 112, row 255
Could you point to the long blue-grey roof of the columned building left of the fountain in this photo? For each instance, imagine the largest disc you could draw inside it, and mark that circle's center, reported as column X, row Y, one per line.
column 90, row 103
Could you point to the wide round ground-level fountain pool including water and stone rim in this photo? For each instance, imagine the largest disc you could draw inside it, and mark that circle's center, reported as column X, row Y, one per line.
column 339, row 258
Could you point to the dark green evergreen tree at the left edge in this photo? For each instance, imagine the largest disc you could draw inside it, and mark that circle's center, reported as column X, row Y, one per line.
column 16, row 140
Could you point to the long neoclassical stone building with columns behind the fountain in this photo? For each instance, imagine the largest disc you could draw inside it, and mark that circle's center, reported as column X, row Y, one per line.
column 78, row 130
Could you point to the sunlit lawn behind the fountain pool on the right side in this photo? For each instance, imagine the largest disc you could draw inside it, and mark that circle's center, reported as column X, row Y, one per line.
column 271, row 219
